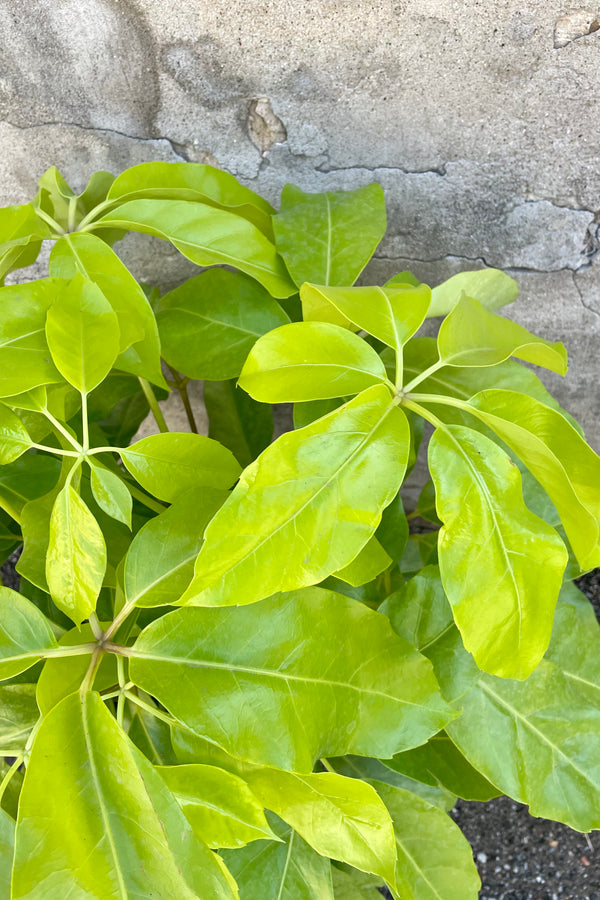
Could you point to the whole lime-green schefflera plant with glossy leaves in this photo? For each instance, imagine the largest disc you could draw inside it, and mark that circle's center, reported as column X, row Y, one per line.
column 302, row 721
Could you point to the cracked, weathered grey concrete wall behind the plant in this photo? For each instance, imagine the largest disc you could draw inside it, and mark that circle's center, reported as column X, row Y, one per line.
column 480, row 118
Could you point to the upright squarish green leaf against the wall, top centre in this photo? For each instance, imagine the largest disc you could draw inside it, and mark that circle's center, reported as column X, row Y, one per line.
column 329, row 238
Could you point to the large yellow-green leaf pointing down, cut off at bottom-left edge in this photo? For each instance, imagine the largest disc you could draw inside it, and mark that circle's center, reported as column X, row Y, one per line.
column 124, row 836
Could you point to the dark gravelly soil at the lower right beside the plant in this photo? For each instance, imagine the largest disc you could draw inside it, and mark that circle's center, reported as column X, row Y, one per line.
column 520, row 857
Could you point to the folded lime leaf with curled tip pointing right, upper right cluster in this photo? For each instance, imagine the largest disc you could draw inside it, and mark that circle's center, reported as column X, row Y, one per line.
column 472, row 336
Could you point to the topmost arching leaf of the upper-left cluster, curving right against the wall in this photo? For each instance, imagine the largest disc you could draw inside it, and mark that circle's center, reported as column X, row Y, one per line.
column 192, row 181
